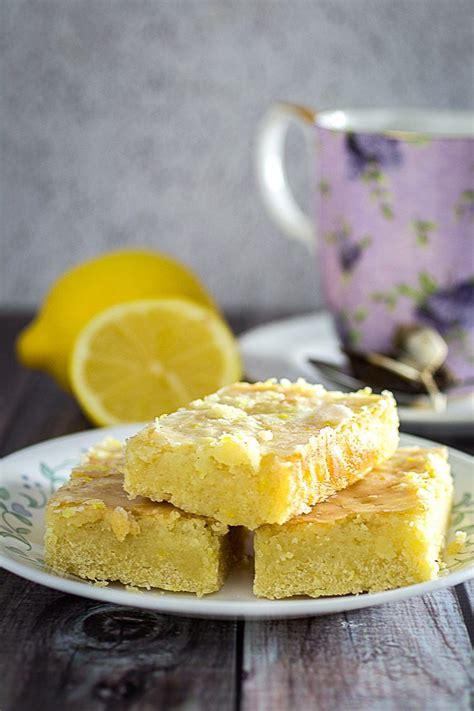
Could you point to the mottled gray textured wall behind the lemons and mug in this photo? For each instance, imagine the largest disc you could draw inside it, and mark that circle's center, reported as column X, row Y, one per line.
column 132, row 122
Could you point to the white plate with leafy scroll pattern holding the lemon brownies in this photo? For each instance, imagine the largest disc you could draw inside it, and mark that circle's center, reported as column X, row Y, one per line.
column 28, row 477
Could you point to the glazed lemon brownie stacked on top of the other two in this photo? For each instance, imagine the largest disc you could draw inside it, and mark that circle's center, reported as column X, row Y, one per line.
column 262, row 453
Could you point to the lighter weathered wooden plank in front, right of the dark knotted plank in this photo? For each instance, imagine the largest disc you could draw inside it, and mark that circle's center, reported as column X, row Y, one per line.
column 414, row 654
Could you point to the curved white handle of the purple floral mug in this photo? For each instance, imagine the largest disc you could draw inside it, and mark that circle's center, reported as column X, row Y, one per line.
column 271, row 171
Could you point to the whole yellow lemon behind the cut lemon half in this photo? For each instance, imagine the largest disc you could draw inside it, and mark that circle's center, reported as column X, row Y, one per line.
column 85, row 290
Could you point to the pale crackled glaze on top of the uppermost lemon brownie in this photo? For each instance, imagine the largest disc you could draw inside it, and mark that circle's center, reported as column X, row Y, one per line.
column 268, row 417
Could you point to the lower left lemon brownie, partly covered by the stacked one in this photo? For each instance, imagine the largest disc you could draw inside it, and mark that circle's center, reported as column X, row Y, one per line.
column 94, row 531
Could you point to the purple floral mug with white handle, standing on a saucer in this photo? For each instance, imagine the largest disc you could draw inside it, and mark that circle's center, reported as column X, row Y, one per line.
column 394, row 227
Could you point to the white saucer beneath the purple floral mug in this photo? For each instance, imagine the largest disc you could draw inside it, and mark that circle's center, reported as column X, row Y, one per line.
column 282, row 349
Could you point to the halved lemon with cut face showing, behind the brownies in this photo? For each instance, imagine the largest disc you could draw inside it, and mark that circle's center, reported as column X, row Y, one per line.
column 143, row 358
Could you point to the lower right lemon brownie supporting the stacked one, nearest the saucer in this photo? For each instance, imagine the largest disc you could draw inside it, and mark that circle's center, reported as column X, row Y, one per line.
column 382, row 532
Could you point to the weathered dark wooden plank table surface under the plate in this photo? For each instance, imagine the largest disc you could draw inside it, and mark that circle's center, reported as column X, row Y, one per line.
column 63, row 652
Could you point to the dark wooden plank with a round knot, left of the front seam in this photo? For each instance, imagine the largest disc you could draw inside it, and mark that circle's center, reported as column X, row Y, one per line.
column 61, row 652
